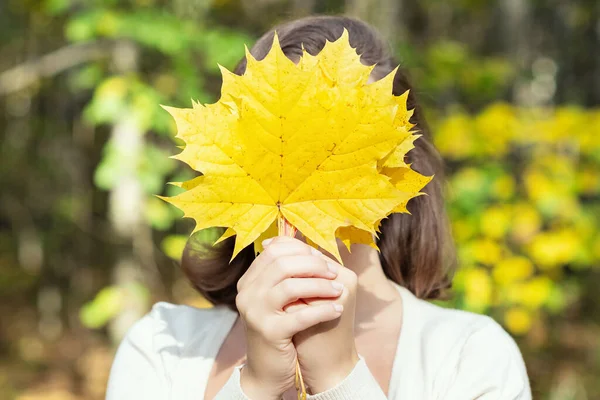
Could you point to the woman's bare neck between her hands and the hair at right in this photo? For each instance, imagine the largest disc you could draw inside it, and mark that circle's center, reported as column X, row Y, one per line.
column 375, row 291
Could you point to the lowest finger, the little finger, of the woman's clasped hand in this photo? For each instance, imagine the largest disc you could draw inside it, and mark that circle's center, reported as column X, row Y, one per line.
column 304, row 318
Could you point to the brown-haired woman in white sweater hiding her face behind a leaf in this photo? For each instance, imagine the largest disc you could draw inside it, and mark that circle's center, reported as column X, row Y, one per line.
column 365, row 330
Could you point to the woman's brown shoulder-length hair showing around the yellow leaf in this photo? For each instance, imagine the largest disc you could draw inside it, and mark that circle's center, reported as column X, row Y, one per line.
column 417, row 251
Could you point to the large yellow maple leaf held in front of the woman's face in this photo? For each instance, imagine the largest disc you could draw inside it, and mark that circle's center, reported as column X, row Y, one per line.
column 312, row 142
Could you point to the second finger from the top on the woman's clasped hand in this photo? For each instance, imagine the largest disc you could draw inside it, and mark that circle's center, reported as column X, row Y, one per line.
column 298, row 266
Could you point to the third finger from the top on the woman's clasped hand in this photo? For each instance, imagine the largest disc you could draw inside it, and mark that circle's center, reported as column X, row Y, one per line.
column 293, row 289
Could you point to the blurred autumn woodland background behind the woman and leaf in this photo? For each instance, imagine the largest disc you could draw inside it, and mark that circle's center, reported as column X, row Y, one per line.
column 511, row 88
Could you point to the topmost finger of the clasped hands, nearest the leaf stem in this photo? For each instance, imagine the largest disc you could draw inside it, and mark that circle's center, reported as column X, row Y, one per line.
column 279, row 246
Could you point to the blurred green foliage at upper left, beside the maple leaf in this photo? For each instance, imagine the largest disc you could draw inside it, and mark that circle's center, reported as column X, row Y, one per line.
column 188, row 51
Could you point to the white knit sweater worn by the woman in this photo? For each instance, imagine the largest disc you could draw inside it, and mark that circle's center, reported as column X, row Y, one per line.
column 441, row 354
